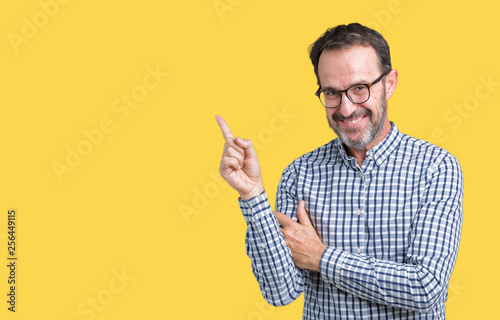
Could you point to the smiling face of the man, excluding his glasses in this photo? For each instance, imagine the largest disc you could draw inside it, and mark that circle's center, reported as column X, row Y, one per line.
column 360, row 126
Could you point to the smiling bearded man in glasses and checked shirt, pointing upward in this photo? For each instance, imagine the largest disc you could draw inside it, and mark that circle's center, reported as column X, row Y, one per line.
column 369, row 224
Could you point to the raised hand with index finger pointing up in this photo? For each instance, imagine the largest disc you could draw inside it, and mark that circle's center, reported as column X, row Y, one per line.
column 239, row 165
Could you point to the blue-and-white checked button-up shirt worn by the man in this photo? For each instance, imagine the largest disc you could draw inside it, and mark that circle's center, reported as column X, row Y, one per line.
column 392, row 227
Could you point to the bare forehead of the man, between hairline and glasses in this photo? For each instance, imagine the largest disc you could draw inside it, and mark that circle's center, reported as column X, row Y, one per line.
column 340, row 68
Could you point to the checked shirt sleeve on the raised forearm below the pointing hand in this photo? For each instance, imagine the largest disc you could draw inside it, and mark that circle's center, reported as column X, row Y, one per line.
column 272, row 265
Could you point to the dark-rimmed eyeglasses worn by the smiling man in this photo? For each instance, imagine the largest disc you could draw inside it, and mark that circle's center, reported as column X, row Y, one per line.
column 358, row 93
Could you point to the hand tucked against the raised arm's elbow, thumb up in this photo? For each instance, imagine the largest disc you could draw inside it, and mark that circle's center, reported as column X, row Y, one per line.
column 302, row 239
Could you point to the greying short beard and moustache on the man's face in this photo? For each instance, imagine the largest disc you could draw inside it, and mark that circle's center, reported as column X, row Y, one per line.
column 370, row 133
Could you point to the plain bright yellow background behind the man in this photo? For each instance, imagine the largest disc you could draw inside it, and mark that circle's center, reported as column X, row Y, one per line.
column 146, row 200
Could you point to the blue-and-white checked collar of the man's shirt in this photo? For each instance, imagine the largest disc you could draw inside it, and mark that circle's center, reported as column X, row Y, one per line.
column 378, row 153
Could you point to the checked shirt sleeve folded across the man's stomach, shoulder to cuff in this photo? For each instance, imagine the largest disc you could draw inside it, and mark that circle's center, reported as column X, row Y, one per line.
column 422, row 280
